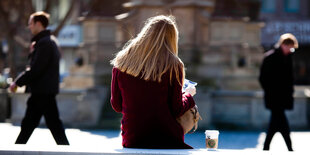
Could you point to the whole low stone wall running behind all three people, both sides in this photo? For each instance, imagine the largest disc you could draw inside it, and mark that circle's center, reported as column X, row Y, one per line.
column 219, row 109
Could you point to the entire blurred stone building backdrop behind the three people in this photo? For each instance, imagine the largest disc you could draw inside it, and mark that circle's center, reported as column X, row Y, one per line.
column 221, row 43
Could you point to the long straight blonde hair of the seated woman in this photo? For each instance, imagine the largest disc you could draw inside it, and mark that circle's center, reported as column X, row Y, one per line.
column 153, row 52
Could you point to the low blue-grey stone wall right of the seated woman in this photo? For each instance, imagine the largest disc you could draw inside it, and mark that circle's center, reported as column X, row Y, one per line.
column 245, row 110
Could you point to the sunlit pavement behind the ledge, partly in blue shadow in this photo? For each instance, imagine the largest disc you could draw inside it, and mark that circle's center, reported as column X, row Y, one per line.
column 111, row 139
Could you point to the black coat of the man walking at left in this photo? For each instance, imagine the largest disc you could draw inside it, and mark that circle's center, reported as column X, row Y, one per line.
column 42, row 77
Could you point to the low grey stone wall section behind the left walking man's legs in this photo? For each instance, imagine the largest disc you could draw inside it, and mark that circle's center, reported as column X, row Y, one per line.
column 77, row 108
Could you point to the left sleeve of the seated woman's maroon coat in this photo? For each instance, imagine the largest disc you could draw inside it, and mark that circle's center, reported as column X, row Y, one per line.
column 116, row 97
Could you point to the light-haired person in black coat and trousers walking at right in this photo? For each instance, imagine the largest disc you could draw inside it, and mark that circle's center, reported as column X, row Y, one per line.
column 276, row 79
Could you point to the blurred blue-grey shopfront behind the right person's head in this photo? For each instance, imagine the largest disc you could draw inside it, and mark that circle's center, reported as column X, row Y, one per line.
column 289, row 16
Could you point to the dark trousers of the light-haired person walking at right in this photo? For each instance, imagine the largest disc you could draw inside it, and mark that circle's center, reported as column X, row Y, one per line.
column 278, row 122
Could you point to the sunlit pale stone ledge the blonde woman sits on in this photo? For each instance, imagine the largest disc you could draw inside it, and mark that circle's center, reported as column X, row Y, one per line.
column 20, row 150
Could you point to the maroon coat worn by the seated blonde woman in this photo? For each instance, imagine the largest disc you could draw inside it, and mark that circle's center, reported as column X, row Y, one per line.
column 150, row 110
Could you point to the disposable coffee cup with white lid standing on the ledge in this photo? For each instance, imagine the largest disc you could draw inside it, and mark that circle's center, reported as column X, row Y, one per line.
column 212, row 137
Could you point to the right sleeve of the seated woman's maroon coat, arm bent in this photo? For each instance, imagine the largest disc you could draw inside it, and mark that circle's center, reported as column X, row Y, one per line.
column 181, row 102
